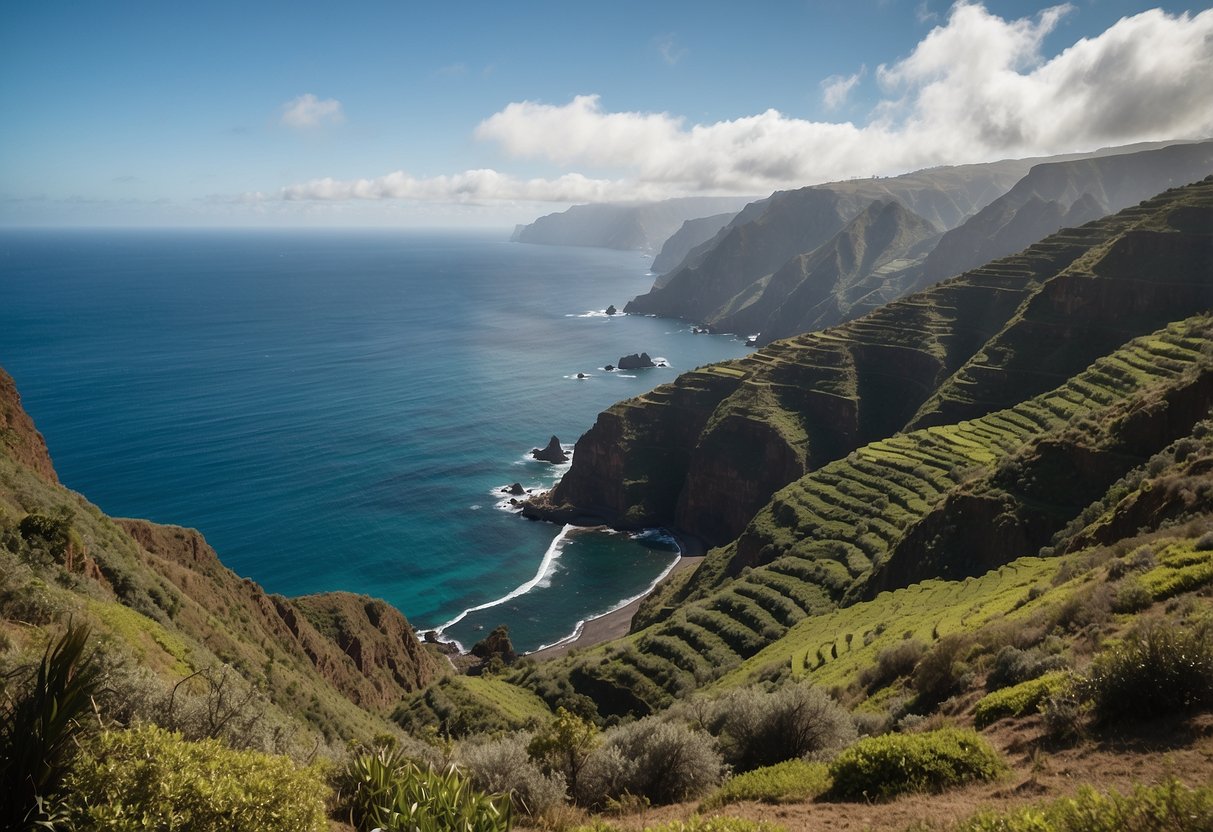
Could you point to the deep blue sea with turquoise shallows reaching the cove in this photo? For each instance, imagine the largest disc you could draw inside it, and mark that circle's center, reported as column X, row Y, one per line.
column 338, row 411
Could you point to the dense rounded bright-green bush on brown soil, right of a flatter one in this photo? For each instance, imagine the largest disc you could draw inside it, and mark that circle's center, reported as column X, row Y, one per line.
column 882, row 767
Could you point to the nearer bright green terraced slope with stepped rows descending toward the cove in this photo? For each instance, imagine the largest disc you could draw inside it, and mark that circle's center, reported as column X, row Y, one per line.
column 858, row 525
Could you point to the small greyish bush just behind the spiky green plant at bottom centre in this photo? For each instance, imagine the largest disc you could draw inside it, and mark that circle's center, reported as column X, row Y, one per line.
column 504, row 767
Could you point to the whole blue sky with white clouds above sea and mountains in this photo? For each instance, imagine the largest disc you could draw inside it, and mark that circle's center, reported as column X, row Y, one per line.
column 491, row 113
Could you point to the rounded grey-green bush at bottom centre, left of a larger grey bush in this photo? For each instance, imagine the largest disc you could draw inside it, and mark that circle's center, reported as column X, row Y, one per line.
column 665, row 762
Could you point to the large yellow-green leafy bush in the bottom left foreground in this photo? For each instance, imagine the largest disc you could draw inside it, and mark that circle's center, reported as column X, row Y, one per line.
column 149, row 778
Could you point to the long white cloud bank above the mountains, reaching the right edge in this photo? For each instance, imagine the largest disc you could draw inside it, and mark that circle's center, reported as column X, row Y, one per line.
column 976, row 88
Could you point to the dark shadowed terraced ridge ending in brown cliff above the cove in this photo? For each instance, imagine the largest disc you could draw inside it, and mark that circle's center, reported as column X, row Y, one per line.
column 708, row 452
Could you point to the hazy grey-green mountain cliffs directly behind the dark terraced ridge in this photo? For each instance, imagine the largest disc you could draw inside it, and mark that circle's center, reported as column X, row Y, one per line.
column 741, row 280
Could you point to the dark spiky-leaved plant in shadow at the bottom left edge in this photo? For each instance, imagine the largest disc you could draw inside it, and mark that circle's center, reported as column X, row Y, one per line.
column 39, row 728
